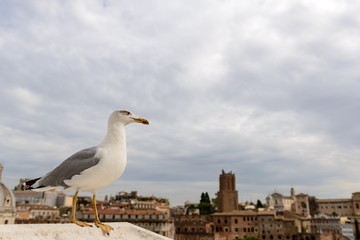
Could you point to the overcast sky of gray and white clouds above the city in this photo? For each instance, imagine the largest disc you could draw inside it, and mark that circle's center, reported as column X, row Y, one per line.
column 268, row 89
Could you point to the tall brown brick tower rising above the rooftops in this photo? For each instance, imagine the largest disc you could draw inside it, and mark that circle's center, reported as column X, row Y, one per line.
column 227, row 196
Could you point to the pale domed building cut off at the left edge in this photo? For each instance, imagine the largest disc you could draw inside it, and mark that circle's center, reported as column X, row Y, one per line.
column 7, row 203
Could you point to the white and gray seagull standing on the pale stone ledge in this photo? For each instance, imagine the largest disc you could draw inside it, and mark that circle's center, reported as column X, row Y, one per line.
column 92, row 168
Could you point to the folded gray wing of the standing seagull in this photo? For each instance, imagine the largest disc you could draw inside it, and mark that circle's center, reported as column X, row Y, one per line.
column 74, row 165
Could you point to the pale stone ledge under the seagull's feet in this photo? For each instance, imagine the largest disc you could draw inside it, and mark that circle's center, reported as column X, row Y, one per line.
column 122, row 231
